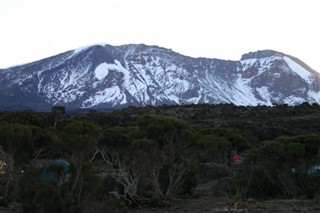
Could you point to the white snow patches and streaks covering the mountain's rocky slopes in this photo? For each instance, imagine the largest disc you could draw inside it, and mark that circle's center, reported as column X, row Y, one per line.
column 162, row 79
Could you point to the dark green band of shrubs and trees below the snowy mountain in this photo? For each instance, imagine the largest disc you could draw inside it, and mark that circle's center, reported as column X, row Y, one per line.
column 137, row 157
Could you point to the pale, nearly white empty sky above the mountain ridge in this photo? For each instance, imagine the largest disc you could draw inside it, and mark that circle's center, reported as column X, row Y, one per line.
column 34, row 29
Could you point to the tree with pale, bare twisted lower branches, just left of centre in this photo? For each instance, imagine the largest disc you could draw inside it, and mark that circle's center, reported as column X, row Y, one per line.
column 119, row 155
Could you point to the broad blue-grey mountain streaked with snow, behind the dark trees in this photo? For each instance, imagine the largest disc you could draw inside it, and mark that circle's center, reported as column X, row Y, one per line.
column 105, row 76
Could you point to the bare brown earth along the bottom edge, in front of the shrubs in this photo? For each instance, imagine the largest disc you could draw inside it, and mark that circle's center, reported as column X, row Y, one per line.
column 203, row 202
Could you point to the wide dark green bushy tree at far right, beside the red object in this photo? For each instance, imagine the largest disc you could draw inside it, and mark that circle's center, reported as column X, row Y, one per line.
column 283, row 164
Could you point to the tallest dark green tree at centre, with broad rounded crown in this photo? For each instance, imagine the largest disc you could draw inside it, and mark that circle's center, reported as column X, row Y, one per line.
column 174, row 140
